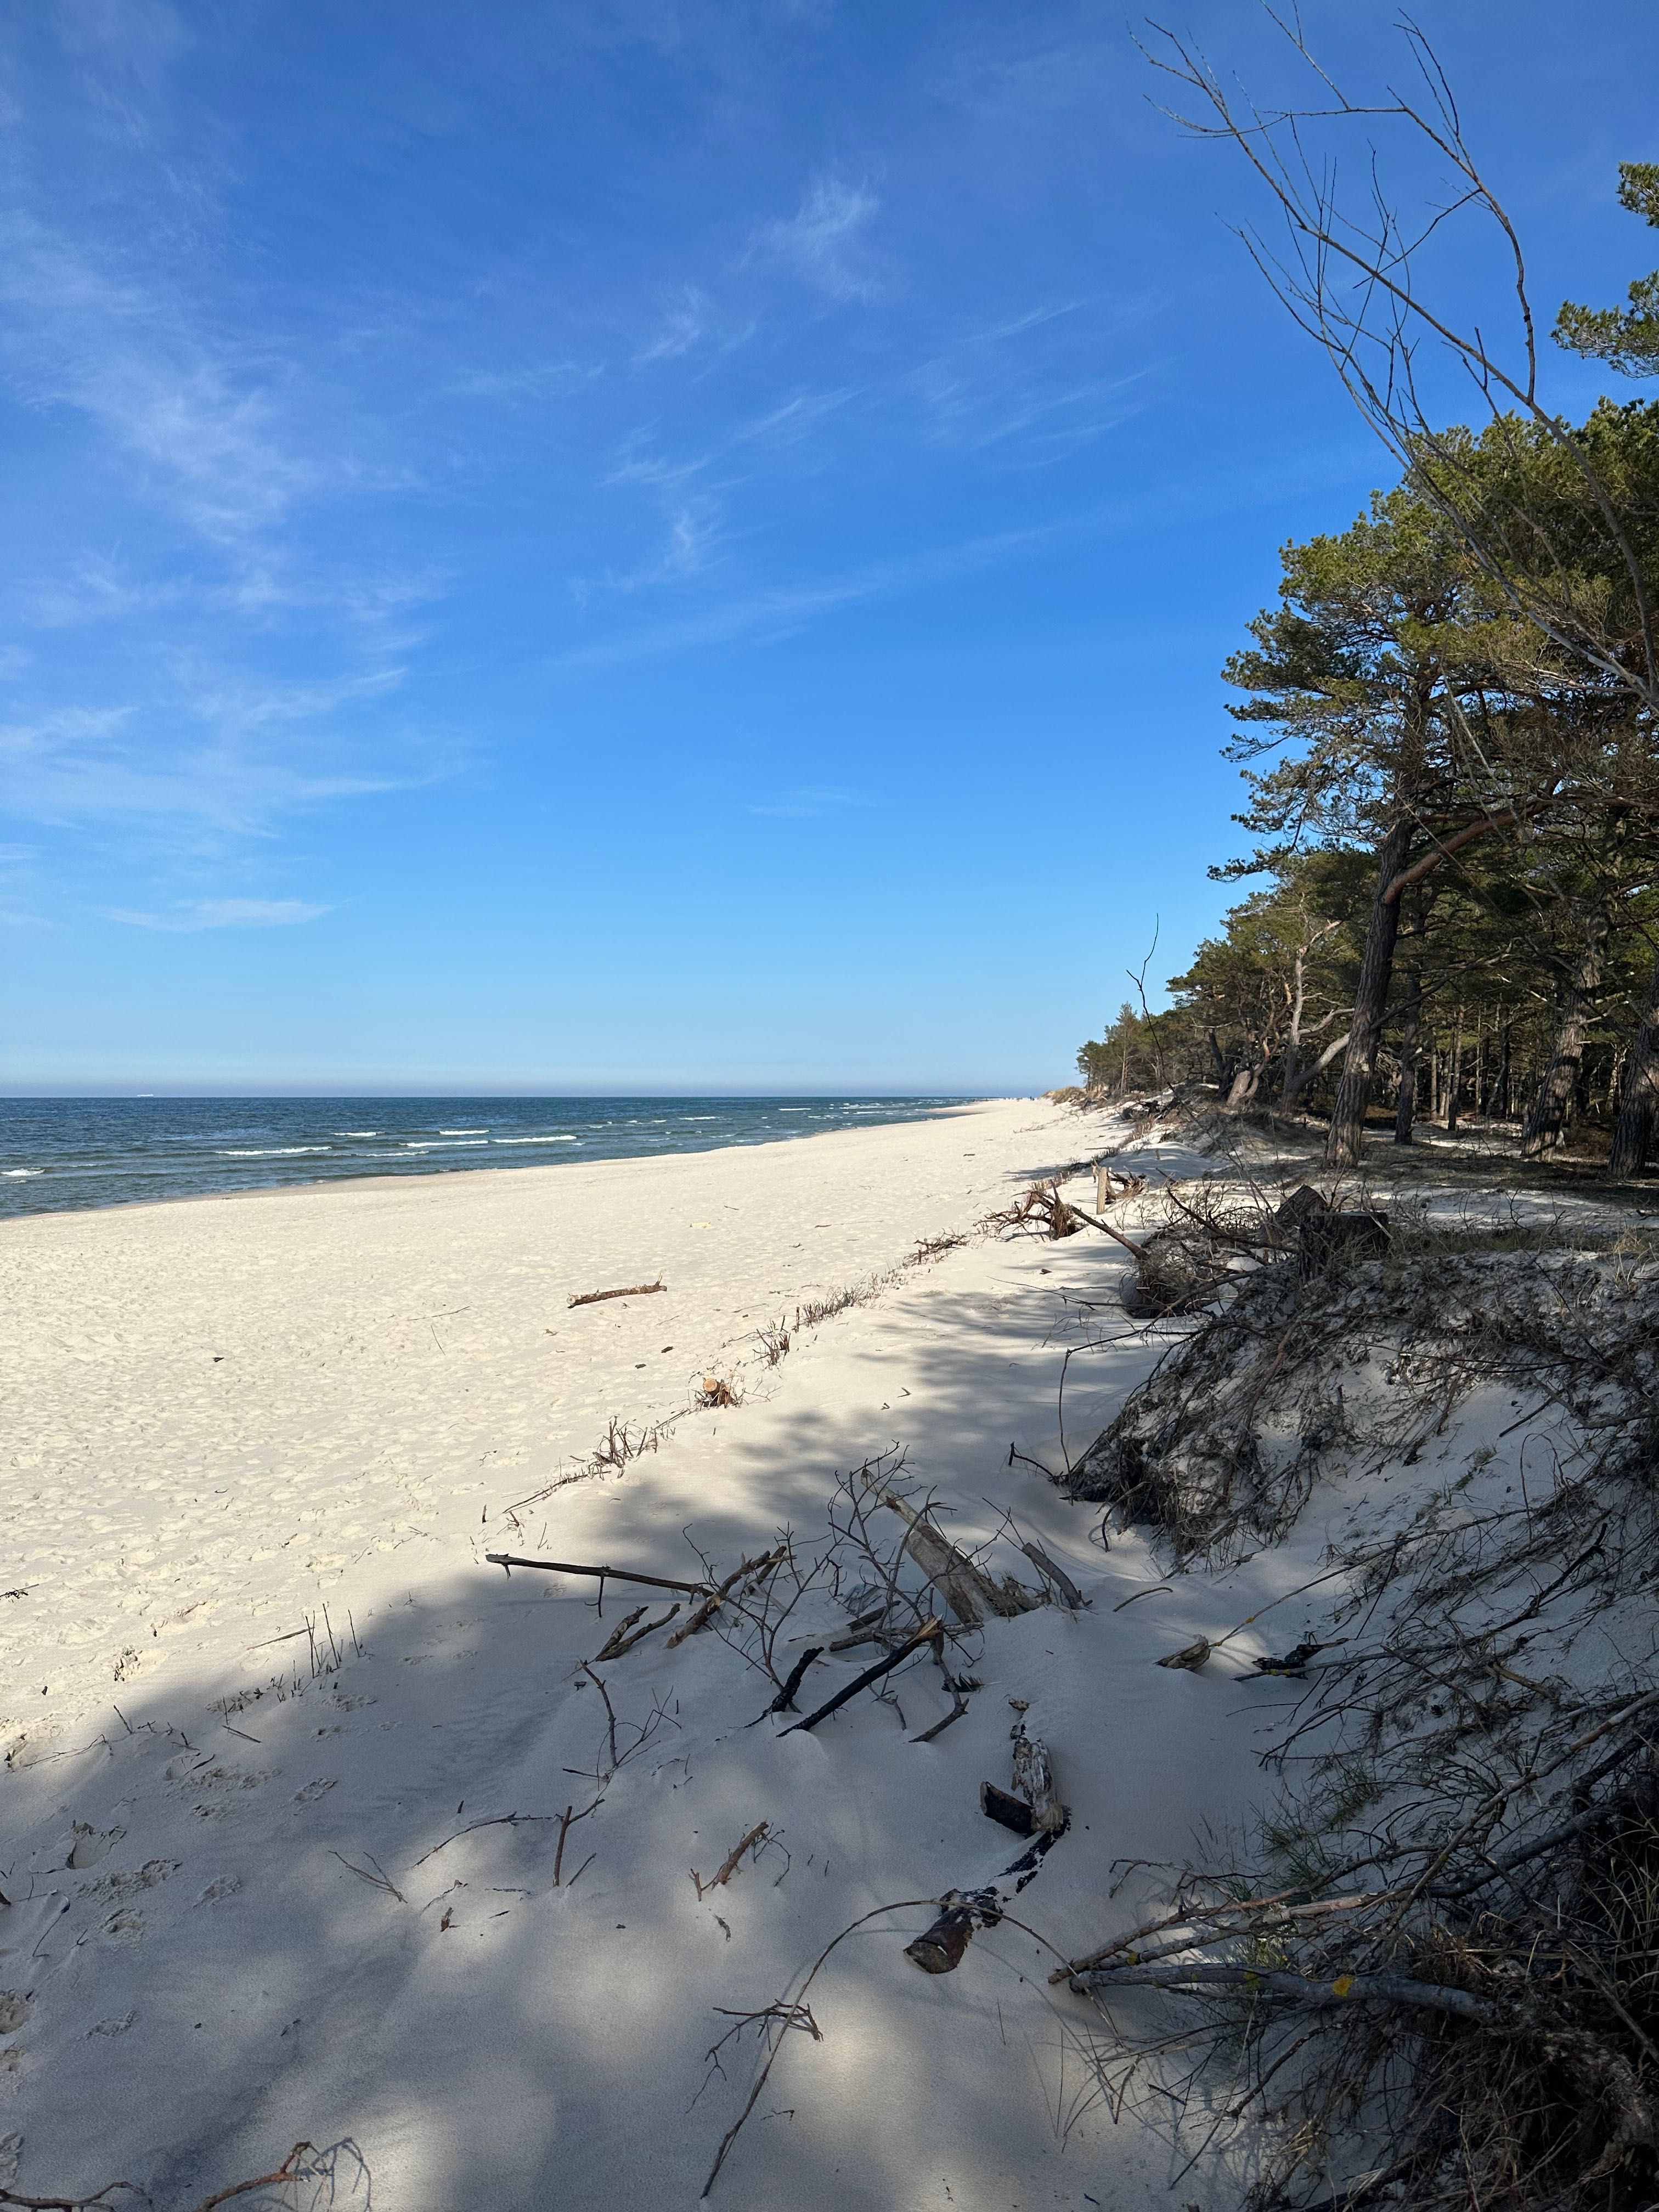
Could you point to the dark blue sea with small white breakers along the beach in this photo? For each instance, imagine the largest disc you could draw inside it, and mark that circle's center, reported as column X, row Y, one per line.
column 72, row 1154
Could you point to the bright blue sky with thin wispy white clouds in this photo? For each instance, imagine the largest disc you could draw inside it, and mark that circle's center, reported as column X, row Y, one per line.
column 665, row 545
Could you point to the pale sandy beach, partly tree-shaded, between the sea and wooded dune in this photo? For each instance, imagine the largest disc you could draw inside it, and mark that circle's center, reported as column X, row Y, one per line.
column 238, row 1919
